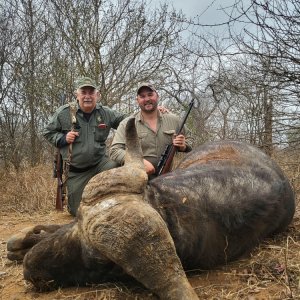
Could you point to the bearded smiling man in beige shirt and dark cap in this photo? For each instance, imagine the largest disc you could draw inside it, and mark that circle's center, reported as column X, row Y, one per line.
column 155, row 130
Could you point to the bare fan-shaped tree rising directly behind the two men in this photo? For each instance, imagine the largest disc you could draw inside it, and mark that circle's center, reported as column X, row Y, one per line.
column 118, row 43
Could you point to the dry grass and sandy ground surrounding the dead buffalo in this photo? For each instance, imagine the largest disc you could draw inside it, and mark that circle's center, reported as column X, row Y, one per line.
column 272, row 271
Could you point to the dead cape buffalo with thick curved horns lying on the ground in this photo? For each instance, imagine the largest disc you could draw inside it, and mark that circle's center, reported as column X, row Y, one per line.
column 217, row 205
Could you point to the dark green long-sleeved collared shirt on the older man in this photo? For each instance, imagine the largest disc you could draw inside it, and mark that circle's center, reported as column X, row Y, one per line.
column 90, row 146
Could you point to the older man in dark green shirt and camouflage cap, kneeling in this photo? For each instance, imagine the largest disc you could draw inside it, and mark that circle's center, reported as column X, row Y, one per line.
column 80, row 130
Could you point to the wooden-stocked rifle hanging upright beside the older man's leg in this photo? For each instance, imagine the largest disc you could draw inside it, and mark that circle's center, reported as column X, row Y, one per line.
column 57, row 173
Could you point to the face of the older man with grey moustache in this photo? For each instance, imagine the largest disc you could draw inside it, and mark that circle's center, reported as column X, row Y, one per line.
column 87, row 98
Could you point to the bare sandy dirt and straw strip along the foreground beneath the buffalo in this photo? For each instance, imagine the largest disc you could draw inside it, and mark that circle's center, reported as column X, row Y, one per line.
column 272, row 271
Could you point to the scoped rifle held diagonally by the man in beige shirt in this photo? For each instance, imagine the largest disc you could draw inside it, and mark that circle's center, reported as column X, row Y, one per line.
column 165, row 162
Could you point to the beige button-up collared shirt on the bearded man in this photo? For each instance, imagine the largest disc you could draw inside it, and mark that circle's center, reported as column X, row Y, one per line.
column 153, row 143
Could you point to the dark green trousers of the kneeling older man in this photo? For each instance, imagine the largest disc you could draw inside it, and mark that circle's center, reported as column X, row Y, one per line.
column 77, row 181
